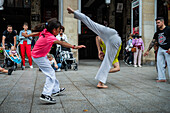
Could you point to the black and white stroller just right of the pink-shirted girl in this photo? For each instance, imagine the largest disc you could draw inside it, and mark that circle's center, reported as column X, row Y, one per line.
column 65, row 57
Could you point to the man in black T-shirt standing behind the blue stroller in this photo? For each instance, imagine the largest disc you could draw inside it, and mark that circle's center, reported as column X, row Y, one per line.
column 9, row 36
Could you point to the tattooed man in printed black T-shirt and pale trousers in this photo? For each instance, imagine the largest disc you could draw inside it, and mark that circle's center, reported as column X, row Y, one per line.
column 162, row 36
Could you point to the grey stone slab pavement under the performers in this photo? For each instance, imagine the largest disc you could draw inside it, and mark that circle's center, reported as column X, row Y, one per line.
column 132, row 90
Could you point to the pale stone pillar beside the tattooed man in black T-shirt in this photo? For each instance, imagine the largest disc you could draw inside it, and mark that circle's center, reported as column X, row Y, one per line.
column 148, row 18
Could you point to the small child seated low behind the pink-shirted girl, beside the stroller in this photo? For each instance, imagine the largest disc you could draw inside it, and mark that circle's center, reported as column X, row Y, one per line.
column 53, row 63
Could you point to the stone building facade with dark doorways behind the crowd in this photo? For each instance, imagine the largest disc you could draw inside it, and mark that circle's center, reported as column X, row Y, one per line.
column 117, row 13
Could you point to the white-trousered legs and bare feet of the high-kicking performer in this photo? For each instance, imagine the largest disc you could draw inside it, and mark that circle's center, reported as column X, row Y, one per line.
column 110, row 38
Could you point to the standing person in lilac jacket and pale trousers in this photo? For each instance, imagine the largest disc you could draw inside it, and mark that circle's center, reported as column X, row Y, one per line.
column 139, row 45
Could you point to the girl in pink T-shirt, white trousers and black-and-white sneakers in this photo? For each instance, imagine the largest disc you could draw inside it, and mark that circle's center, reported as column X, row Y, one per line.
column 43, row 45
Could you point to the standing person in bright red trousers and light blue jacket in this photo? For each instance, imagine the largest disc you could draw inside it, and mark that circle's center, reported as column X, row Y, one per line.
column 25, row 45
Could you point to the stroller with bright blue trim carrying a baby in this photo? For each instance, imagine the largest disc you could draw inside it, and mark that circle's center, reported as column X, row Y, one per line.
column 10, row 61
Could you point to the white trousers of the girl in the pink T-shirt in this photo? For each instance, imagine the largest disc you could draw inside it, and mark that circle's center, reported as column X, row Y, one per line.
column 51, row 83
